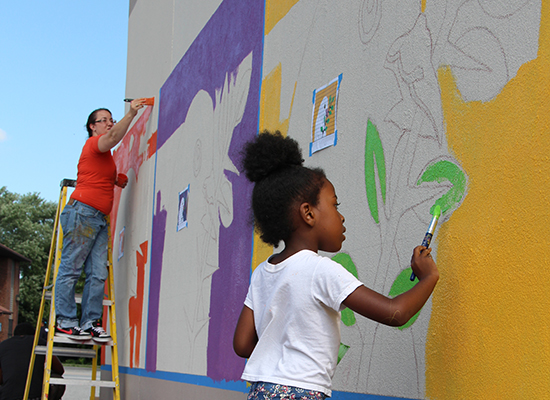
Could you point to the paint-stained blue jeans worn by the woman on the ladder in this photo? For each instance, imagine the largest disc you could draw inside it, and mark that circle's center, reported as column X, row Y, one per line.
column 85, row 245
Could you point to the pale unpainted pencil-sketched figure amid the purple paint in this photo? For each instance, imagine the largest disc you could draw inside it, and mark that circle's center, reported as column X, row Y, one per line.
column 217, row 192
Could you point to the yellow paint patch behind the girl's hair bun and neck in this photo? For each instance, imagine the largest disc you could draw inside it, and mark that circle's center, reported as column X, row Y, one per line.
column 270, row 111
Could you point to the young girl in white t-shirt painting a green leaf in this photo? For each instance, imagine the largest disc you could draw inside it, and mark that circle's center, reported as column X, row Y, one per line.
column 289, row 327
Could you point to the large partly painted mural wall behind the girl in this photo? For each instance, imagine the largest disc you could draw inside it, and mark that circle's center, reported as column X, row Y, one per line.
column 406, row 105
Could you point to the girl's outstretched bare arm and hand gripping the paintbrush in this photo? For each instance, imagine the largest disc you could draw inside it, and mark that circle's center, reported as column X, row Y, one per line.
column 397, row 311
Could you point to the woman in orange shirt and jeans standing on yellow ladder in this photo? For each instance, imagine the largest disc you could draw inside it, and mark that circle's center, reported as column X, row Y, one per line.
column 85, row 228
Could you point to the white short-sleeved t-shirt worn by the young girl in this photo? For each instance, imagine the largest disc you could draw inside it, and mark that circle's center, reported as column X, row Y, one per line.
column 297, row 306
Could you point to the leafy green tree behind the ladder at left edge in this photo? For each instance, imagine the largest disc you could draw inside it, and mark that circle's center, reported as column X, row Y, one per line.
column 26, row 226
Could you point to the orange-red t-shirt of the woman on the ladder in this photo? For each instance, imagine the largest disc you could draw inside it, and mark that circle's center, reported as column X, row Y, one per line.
column 96, row 177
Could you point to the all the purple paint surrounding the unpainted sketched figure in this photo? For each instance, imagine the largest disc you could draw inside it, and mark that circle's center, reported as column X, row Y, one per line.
column 234, row 31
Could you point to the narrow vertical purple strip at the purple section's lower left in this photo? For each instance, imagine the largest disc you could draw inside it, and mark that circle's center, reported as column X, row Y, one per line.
column 157, row 250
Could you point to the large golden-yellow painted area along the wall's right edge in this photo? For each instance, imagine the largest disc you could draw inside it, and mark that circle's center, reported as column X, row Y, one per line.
column 489, row 335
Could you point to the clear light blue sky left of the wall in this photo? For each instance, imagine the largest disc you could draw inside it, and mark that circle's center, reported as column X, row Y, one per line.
column 59, row 61
